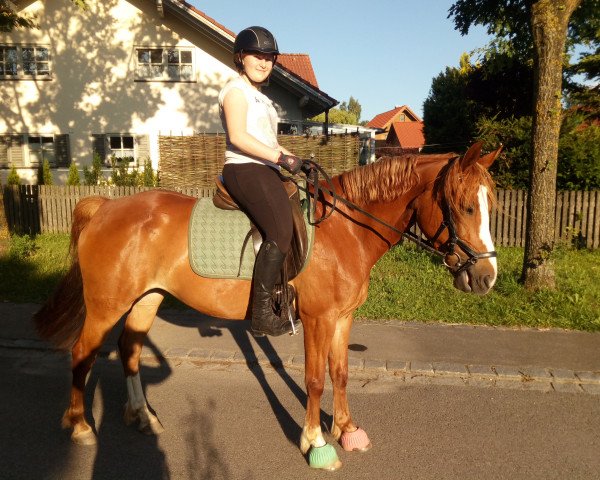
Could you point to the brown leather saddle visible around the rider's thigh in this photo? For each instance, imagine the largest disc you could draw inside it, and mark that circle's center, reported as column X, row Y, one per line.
column 298, row 252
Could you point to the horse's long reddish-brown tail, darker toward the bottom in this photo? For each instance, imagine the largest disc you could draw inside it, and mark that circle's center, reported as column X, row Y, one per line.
column 61, row 318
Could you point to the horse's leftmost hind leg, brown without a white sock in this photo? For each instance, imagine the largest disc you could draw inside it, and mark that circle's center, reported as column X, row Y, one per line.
column 95, row 329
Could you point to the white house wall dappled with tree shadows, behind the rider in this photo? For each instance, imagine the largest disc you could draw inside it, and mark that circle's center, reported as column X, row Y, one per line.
column 92, row 87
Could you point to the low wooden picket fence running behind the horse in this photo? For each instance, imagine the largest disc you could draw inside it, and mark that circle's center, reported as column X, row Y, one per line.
column 48, row 209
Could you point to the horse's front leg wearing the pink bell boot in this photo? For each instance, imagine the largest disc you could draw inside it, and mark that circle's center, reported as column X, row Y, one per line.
column 343, row 429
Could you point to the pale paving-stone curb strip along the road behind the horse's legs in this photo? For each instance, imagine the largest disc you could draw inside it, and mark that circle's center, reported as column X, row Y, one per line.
column 417, row 372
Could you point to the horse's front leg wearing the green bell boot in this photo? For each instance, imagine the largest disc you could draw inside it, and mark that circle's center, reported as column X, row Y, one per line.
column 317, row 340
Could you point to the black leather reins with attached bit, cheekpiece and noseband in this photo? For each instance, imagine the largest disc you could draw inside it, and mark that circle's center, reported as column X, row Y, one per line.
column 312, row 169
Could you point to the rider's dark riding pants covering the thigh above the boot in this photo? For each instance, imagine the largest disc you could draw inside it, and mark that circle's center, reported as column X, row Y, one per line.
column 259, row 191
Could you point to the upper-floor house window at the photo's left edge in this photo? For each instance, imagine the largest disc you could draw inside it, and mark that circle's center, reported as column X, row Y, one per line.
column 24, row 61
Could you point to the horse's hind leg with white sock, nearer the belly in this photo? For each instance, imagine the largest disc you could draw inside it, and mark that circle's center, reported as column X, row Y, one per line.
column 131, row 341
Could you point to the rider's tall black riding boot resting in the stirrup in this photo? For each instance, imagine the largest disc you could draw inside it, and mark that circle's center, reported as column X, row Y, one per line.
column 266, row 273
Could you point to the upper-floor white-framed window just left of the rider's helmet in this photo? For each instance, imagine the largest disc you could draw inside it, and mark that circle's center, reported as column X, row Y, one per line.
column 165, row 64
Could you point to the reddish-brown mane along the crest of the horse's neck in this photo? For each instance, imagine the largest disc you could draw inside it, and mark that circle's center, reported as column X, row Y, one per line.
column 384, row 180
